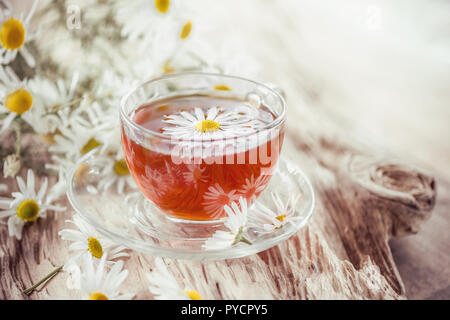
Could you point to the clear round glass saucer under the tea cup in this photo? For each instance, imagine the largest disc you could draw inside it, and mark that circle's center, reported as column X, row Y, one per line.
column 131, row 220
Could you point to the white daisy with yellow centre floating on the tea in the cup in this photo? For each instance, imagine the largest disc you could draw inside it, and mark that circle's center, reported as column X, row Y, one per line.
column 215, row 124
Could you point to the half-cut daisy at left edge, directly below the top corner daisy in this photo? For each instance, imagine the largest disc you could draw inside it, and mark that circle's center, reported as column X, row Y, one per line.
column 15, row 98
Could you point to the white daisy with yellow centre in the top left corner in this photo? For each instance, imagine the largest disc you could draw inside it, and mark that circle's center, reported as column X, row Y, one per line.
column 15, row 34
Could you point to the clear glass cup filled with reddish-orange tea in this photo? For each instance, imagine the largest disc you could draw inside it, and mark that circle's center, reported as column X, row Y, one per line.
column 191, row 178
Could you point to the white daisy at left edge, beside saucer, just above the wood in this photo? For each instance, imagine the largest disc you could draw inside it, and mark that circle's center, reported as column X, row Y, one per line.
column 26, row 205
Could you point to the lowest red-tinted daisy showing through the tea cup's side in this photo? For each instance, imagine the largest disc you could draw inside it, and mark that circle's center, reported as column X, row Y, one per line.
column 216, row 198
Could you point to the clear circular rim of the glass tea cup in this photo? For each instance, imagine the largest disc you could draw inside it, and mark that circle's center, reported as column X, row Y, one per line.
column 278, row 121
